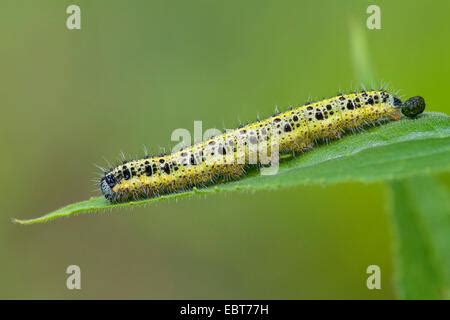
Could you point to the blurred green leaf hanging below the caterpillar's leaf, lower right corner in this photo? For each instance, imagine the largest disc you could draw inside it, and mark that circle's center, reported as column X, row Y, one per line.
column 421, row 214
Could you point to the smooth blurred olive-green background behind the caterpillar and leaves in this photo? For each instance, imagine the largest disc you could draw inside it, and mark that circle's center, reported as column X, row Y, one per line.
column 136, row 71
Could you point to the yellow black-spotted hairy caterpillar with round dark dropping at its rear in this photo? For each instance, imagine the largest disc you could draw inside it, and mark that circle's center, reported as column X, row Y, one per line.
column 221, row 158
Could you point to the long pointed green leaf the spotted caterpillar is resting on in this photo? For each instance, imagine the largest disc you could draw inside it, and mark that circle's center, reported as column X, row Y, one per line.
column 395, row 150
